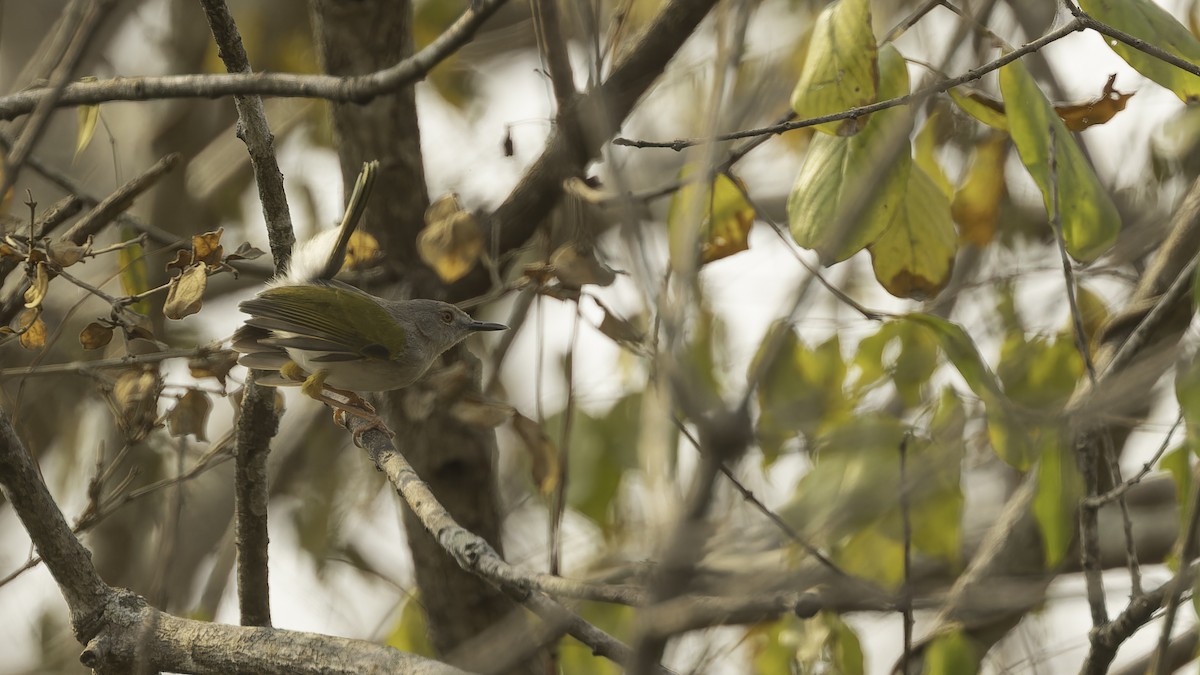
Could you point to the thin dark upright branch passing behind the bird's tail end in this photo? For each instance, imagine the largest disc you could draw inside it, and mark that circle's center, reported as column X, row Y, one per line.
column 259, row 421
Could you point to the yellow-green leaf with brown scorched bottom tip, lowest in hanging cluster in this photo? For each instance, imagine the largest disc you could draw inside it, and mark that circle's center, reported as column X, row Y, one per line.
column 915, row 256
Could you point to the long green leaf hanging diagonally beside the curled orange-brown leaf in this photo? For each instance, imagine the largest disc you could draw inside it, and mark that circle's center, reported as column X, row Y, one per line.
column 1090, row 220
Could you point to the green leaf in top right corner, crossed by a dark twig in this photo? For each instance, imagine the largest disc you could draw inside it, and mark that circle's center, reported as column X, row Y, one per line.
column 1145, row 20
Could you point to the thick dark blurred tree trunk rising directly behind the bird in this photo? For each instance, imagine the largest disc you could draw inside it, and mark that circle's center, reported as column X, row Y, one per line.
column 455, row 459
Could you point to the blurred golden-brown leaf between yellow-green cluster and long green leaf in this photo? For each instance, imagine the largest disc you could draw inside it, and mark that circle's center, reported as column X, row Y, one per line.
column 977, row 202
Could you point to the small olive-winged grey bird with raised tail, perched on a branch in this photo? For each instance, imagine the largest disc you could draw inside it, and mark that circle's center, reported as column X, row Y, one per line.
column 327, row 337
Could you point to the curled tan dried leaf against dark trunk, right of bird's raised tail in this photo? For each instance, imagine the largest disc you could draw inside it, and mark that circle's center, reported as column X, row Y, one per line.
column 452, row 242
